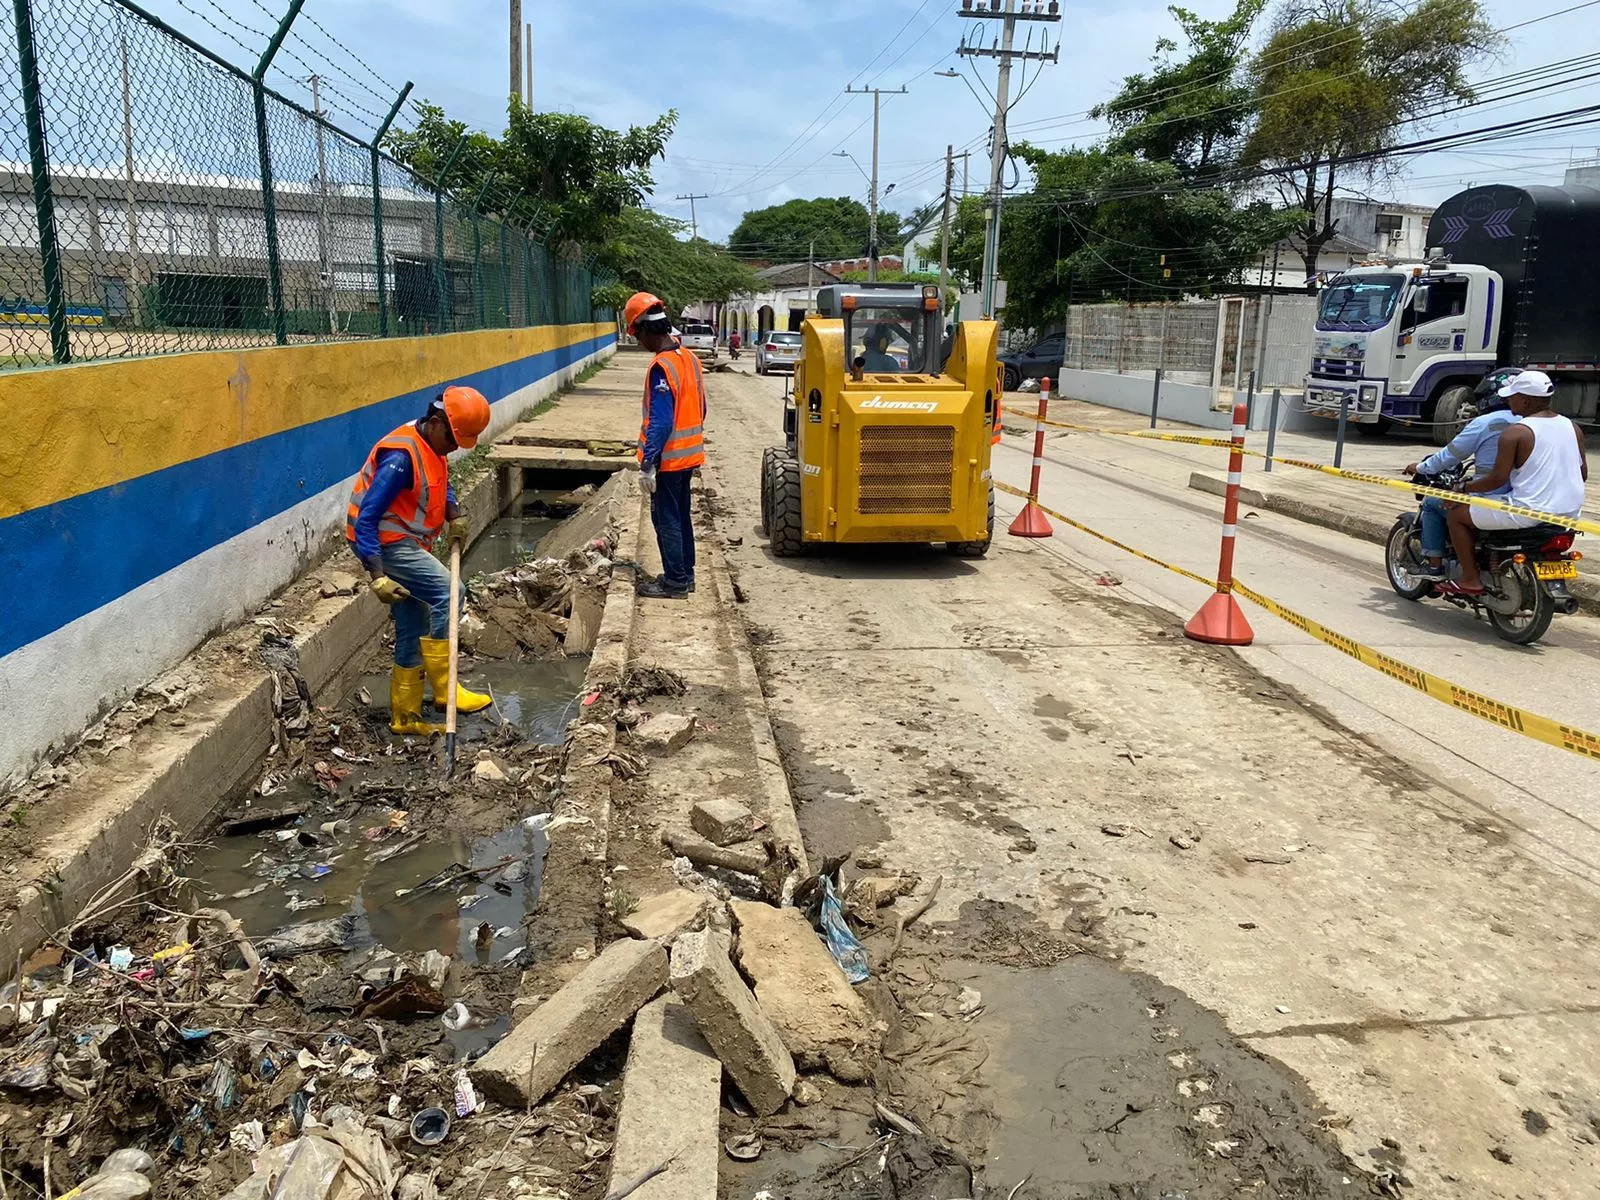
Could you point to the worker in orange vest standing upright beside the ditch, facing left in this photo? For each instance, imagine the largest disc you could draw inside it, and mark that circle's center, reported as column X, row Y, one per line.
column 671, row 442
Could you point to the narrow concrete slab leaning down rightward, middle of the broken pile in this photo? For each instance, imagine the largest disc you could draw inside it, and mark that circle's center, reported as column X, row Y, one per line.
column 732, row 1020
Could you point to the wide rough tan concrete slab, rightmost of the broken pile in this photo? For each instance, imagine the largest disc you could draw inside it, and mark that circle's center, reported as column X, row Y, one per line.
column 818, row 1015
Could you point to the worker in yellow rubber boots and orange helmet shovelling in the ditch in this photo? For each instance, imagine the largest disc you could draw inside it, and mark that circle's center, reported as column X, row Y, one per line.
column 401, row 503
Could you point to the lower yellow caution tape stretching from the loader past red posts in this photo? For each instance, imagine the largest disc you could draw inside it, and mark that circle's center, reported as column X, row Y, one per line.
column 1484, row 708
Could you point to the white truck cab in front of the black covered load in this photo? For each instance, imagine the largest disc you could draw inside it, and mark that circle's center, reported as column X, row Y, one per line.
column 1404, row 342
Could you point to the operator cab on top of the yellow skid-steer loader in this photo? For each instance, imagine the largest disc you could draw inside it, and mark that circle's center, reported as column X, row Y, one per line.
column 892, row 327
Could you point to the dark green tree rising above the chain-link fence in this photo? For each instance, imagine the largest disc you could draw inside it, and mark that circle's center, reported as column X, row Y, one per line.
column 580, row 175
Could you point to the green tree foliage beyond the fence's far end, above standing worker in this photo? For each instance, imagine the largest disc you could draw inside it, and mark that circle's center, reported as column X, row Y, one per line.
column 647, row 255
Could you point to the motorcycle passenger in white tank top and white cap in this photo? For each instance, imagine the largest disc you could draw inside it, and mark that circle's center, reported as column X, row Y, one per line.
column 1540, row 457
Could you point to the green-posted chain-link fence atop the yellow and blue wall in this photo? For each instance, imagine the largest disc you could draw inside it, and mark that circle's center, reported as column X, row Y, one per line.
column 158, row 199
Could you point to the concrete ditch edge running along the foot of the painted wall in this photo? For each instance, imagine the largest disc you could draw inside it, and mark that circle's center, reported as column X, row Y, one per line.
column 202, row 766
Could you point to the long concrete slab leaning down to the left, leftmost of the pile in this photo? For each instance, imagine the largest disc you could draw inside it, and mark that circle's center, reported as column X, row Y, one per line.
column 566, row 1030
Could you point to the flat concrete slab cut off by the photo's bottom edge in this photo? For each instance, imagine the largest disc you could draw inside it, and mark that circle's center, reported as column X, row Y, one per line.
column 671, row 1100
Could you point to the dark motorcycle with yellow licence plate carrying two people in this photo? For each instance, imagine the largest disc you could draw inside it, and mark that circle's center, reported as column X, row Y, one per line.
column 1524, row 572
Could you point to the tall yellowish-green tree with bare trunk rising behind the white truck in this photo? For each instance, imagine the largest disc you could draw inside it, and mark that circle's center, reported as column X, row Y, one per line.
column 1350, row 78
